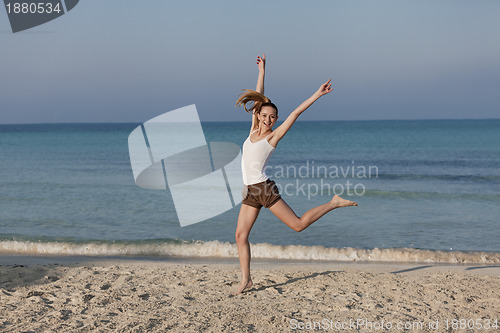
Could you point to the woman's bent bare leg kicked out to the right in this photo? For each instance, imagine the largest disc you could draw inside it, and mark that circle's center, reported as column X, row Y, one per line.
column 288, row 216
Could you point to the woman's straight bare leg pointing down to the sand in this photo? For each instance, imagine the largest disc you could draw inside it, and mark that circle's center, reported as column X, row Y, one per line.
column 246, row 219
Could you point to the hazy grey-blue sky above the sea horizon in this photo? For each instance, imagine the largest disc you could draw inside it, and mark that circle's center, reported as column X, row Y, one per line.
column 124, row 61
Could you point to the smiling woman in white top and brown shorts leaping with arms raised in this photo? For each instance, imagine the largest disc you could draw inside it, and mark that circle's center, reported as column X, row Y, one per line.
column 259, row 190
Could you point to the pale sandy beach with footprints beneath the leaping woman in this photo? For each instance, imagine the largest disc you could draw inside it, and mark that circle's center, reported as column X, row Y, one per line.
column 79, row 294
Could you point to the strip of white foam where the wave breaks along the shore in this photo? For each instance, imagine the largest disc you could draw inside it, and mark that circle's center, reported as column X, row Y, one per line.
column 261, row 250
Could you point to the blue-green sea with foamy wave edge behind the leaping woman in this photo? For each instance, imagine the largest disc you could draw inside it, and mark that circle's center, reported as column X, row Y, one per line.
column 428, row 190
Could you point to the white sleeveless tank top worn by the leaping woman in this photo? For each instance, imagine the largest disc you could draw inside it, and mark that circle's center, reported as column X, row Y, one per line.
column 254, row 160
